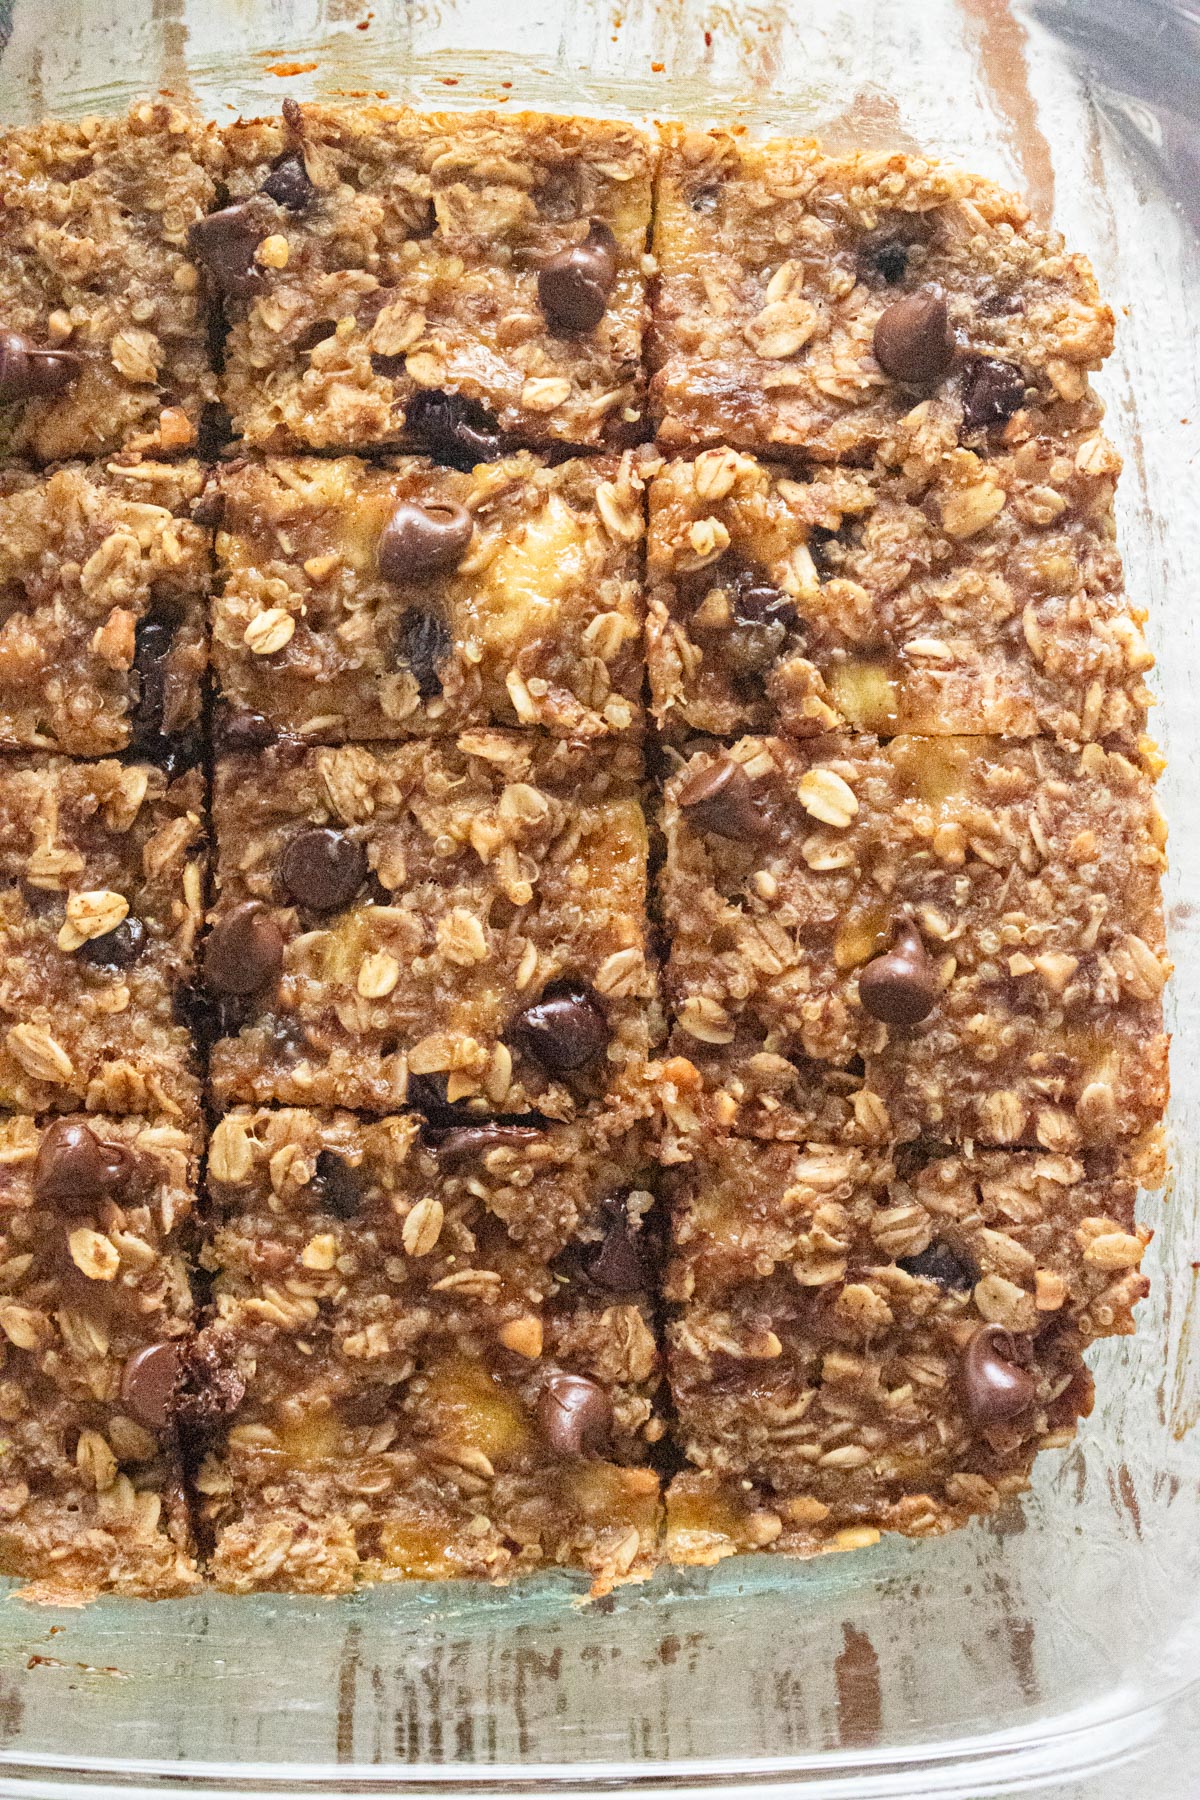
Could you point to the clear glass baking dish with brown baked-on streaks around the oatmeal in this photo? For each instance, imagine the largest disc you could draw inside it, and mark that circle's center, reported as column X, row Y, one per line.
column 1053, row 1650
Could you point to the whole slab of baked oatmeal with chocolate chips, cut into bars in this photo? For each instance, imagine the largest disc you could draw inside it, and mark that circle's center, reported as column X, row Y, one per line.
column 580, row 886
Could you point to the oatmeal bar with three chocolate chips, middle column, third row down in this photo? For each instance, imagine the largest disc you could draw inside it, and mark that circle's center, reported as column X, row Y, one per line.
column 456, row 922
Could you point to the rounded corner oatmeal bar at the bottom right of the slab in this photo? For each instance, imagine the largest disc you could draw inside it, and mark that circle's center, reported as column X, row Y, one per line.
column 875, row 1340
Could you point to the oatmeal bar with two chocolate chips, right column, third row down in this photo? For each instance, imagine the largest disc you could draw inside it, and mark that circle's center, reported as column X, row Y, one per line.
column 924, row 937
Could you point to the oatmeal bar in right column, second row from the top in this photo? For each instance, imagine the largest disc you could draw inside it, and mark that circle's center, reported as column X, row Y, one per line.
column 935, row 593
